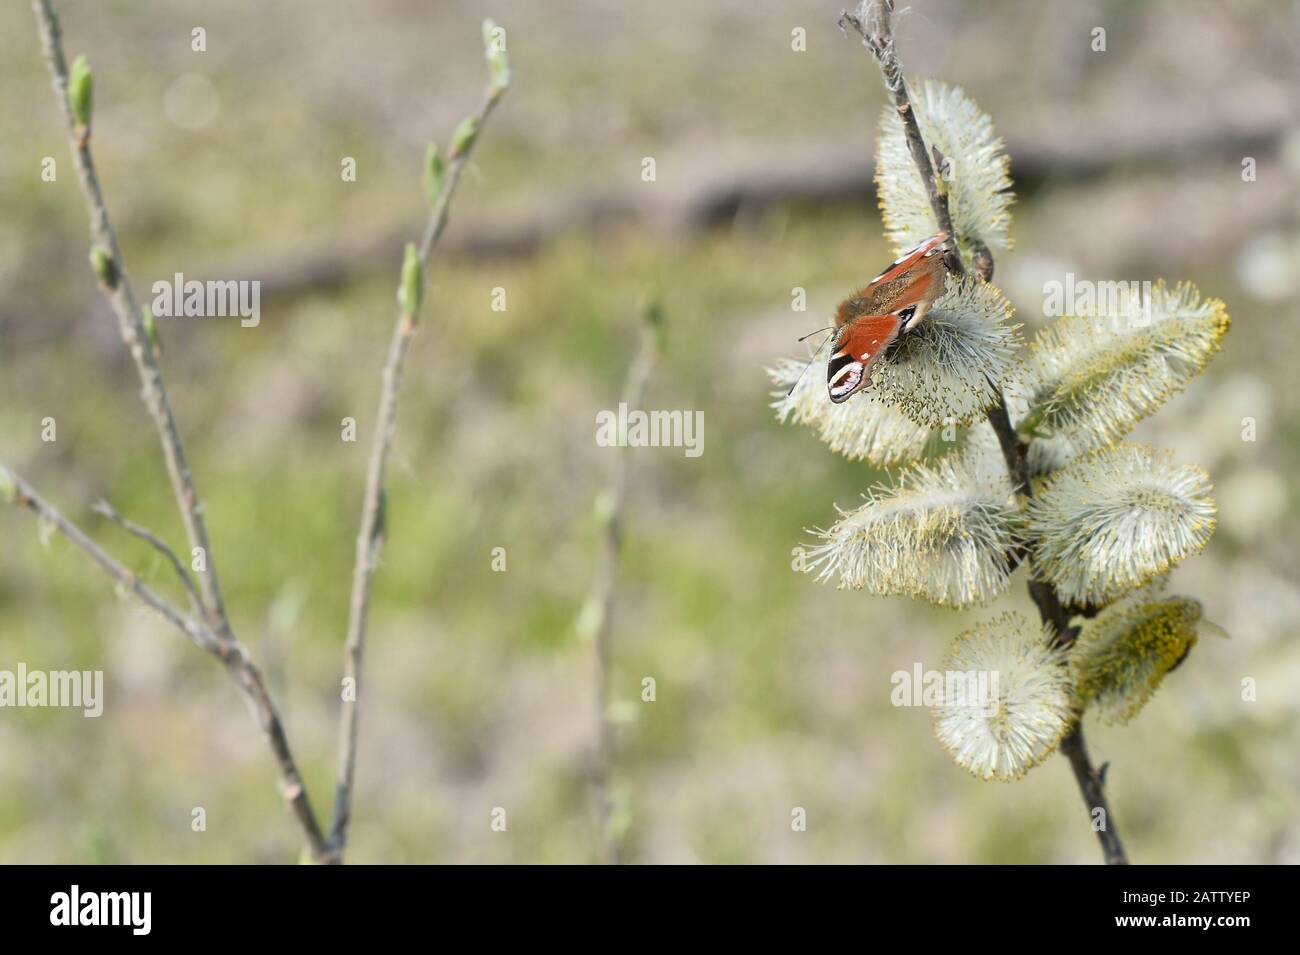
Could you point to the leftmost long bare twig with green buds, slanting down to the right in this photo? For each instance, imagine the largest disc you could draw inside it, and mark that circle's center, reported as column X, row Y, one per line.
column 122, row 297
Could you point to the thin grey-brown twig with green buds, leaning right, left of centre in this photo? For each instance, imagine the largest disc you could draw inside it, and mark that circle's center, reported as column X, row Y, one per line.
column 370, row 539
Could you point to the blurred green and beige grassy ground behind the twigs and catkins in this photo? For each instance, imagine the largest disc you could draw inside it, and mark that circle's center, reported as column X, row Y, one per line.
column 773, row 689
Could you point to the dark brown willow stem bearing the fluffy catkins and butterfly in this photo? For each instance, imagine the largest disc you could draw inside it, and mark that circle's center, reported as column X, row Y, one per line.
column 874, row 23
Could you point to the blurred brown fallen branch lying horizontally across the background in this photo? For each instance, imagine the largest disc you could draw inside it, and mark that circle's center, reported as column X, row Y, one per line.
column 713, row 193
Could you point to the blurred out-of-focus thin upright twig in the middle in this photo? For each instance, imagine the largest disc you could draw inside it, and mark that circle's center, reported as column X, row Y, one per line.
column 605, row 585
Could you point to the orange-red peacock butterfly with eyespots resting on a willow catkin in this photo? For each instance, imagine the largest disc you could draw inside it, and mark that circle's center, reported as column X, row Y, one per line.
column 870, row 320
